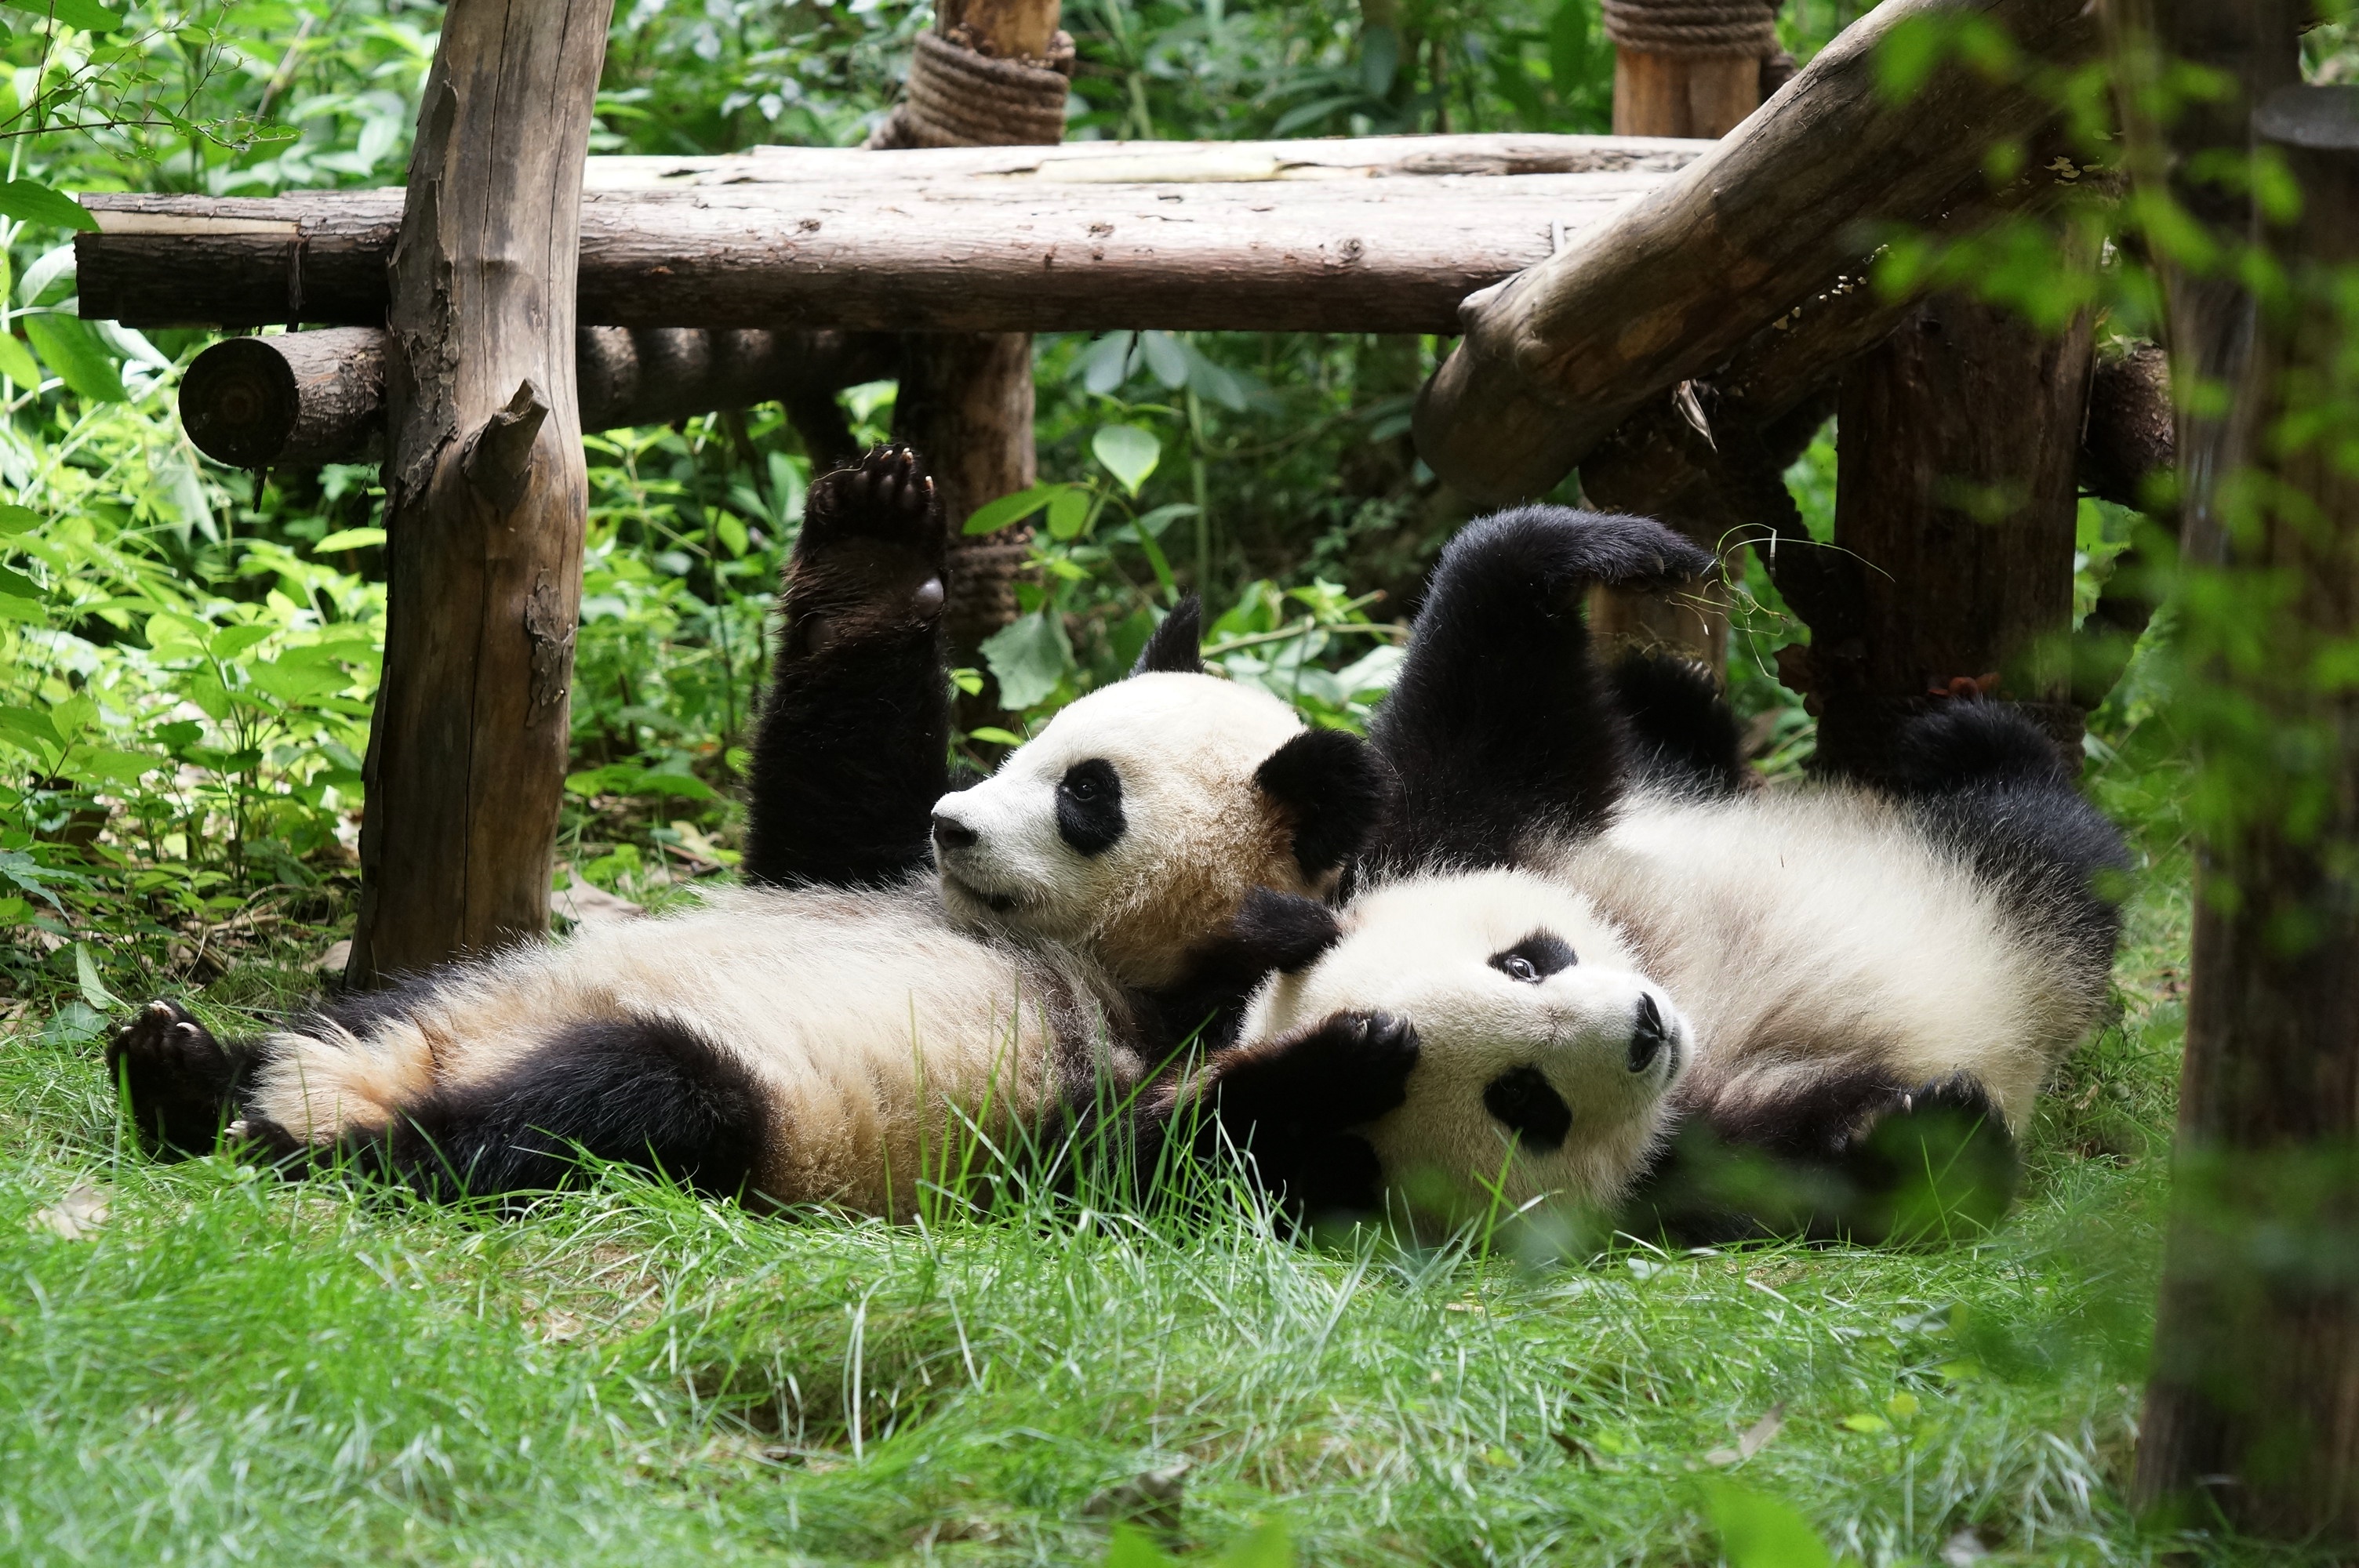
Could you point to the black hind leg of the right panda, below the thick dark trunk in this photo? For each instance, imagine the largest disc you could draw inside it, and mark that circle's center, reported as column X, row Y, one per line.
column 1995, row 791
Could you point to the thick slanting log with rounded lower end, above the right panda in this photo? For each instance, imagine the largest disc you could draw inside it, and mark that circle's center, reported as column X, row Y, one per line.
column 1664, row 291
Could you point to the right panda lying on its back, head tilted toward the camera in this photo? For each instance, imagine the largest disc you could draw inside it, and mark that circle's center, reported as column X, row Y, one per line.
column 1572, row 980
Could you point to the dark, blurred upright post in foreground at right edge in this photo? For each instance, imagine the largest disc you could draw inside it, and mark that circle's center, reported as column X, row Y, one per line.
column 2254, row 1397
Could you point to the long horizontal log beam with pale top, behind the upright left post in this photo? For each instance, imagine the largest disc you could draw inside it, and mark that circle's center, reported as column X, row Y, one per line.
column 1376, row 239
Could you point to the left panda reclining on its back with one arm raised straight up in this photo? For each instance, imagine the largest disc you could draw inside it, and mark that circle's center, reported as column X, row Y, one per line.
column 853, row 1025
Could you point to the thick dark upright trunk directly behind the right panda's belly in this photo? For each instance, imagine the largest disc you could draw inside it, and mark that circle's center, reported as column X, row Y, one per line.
column 1957, row 496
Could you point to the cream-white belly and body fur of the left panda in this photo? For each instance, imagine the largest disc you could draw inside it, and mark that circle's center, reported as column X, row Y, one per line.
column 881, row 1032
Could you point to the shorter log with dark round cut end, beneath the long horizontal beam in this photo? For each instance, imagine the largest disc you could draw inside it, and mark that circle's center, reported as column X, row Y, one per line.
column 303, row 400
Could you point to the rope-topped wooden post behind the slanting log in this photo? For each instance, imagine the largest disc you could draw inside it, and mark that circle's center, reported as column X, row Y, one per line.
column 1700, row 91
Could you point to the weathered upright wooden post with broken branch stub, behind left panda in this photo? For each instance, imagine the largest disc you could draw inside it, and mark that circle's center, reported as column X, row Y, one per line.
column 485, row 494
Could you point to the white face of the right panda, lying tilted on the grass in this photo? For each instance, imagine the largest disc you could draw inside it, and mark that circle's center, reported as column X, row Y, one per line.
column 1546, row 1058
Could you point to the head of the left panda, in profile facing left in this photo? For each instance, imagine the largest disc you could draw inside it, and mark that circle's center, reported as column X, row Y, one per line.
column 1143, row 815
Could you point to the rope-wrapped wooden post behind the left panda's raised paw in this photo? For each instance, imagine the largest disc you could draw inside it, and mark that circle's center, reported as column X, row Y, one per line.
column 968, row 400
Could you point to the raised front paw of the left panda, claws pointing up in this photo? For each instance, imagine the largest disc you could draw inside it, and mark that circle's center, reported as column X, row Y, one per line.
column 874, row 553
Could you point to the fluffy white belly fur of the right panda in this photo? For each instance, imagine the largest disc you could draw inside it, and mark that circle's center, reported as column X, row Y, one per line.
column 1820, row 928
